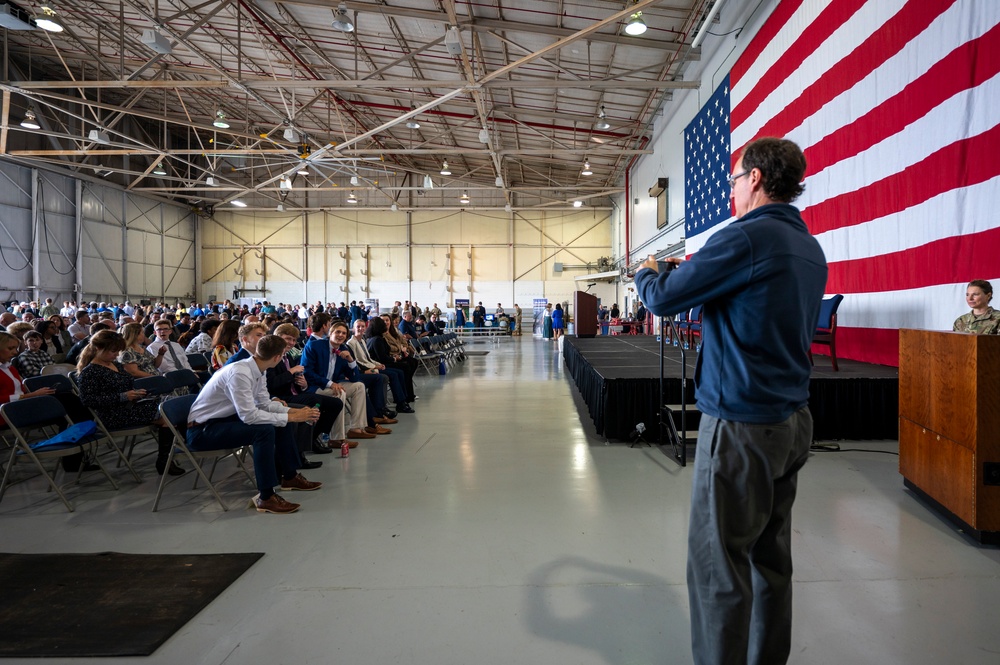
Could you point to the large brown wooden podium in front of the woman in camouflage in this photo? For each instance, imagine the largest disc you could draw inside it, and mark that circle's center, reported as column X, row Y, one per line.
column 949, row 425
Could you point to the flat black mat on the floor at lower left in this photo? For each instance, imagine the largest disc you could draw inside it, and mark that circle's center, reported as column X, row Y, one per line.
column 105, row 604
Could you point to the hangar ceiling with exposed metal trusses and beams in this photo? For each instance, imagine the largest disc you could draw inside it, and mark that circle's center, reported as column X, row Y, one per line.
column 507, row 91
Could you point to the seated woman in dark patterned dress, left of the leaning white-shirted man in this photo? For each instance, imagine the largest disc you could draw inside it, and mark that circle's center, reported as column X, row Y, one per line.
column 109, row 390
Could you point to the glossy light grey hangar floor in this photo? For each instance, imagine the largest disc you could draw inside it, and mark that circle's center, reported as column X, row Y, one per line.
column 494, row 527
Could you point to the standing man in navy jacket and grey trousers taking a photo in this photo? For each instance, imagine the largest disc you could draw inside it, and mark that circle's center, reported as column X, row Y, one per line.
column 761, row 282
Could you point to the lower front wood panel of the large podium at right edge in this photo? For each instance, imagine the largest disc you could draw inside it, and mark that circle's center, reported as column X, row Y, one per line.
column 940, row 467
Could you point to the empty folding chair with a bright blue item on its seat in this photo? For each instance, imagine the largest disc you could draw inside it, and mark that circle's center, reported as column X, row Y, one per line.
column 39, row 427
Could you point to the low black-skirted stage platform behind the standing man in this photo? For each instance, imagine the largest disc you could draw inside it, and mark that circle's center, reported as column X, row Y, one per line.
column 619, row 378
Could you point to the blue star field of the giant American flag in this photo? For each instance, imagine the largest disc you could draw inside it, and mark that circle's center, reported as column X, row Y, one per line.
column 706, row 164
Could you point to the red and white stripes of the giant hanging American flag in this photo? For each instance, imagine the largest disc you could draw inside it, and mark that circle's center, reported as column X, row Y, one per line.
column 894, row 103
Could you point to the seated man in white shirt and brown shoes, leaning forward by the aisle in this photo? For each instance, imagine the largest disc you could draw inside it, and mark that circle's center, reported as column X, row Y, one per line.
column 234, row 408
